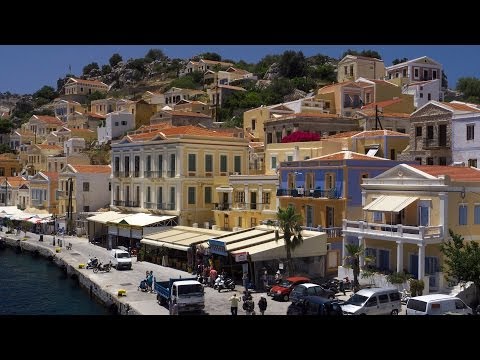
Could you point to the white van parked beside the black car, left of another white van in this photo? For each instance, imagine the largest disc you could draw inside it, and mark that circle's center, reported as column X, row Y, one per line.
column 374, row 301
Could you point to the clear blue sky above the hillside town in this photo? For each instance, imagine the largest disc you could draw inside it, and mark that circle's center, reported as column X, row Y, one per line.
column 26, row 68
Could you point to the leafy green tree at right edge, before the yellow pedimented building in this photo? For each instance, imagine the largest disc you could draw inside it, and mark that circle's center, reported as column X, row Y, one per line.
column 461, row 259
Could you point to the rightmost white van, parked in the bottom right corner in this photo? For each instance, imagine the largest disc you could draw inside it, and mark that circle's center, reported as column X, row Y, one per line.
column 437, row 304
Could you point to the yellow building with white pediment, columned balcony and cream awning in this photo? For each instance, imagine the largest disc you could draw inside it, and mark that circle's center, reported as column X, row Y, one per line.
column 408, row 211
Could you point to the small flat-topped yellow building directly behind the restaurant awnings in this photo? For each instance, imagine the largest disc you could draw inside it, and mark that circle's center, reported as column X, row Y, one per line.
column 244, row 201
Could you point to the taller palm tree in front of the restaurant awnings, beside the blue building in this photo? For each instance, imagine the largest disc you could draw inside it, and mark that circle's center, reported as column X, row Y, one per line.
column 290, row 224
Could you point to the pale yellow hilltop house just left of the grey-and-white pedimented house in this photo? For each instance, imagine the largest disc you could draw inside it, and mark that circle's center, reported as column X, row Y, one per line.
column 352, row 67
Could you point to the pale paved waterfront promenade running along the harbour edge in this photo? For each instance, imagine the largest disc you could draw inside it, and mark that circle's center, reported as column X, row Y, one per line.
column 106, row 285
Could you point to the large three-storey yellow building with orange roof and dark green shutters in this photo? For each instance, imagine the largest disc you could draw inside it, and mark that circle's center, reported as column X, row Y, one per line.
column 171, row 170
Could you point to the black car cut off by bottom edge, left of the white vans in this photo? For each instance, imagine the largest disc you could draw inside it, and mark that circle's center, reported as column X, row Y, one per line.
column 315, row 305
